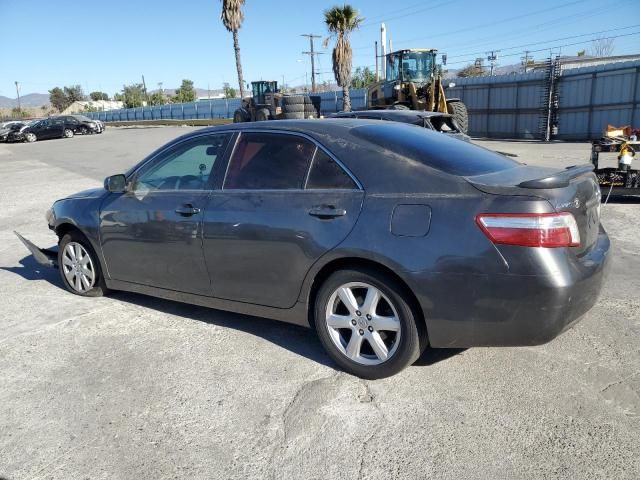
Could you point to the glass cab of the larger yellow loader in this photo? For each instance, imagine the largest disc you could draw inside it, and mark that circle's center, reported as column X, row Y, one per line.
column 417, row 66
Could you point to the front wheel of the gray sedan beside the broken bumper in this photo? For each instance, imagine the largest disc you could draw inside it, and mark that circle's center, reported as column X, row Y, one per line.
column 72, row 246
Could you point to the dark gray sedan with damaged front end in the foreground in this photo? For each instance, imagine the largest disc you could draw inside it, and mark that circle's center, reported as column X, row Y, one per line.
column 384, row 237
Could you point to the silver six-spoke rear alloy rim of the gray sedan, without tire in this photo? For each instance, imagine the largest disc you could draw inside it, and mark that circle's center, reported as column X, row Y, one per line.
column 363, row 323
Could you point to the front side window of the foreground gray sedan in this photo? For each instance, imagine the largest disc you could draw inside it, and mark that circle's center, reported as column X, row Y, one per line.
column 187, row 166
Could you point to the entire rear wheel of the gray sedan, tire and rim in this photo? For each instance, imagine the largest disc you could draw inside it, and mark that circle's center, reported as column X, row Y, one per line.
column 401, row 334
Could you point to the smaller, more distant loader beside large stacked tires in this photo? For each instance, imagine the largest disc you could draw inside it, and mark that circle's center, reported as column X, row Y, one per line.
column 268, row 103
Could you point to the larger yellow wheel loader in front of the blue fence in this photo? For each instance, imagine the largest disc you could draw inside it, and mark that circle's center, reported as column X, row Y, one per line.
column 414, row 81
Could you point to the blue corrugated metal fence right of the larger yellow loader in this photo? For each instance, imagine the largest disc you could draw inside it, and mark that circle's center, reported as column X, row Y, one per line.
column 589, row 98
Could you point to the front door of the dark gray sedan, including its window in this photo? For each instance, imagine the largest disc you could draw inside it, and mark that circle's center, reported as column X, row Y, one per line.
column 152, row 234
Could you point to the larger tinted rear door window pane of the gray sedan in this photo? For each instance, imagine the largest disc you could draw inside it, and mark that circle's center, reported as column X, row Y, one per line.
column 266, row 161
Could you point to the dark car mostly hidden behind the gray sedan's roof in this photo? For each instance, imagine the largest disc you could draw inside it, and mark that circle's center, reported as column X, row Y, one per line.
column 439, row 122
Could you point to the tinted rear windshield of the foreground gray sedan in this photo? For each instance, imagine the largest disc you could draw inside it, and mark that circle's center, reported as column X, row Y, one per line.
column 435, row 150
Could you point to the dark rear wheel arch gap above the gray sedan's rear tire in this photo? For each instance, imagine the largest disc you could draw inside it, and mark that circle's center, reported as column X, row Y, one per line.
column 345, row 263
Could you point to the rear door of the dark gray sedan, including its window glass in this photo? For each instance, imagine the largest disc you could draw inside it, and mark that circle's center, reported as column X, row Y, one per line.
column 285, row 202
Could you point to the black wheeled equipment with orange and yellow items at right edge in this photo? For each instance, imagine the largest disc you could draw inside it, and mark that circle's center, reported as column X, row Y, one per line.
column 620, row 180
